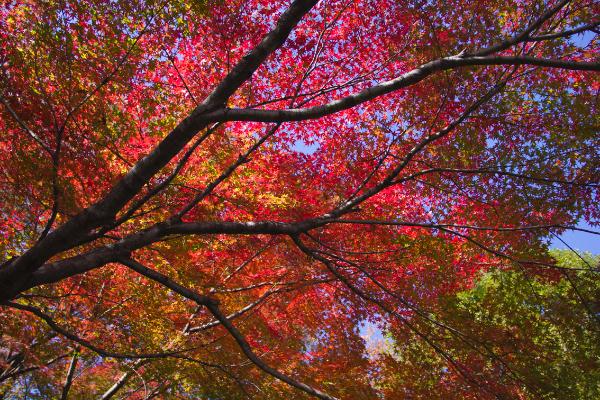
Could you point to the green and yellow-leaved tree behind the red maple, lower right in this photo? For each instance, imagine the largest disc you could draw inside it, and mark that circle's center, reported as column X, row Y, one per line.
column 548, row 342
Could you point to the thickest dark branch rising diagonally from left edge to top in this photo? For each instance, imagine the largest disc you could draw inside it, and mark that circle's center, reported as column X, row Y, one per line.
column 103, row 211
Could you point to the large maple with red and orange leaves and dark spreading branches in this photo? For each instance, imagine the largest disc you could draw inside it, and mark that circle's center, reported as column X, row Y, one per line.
column 199, row 197
